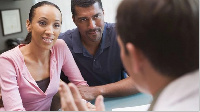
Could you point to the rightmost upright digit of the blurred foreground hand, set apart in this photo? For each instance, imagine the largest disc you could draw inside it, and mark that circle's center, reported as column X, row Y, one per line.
column 99, row 103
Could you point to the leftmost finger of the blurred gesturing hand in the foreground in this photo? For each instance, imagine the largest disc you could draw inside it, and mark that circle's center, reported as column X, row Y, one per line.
column 67, row 100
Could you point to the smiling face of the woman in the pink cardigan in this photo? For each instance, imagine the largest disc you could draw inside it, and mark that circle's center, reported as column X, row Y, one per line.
column 45, row 26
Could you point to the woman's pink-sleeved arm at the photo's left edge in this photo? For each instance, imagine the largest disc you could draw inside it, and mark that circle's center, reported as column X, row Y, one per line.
column 9, row 86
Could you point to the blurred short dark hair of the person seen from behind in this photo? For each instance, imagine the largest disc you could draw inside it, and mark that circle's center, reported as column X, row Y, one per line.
column 166, row 31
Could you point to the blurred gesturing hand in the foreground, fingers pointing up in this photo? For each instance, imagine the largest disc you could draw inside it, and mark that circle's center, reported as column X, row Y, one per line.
column 71, row 99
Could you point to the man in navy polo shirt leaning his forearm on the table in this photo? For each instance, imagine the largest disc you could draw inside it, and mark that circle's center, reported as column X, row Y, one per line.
column 96, row 52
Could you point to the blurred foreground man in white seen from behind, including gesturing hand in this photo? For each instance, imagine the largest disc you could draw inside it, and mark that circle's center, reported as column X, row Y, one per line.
column 159, row 41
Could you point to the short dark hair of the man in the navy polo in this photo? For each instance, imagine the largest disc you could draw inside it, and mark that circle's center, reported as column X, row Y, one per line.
column 83, row 3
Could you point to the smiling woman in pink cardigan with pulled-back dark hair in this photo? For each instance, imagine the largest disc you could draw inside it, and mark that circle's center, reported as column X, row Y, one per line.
column 30, row 73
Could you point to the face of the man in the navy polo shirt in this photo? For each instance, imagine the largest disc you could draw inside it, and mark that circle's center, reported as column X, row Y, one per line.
column 90, row 22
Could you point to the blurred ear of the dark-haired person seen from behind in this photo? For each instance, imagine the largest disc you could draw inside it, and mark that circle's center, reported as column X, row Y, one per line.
column 136, row 57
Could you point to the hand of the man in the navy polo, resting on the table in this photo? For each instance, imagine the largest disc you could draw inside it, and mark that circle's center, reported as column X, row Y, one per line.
column 89, row 93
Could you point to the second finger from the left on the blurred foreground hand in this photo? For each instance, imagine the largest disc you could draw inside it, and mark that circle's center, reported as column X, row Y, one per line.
column 77, row 98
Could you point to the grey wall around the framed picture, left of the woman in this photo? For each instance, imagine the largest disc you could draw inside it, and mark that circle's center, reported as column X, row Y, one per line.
column 24, row 6
